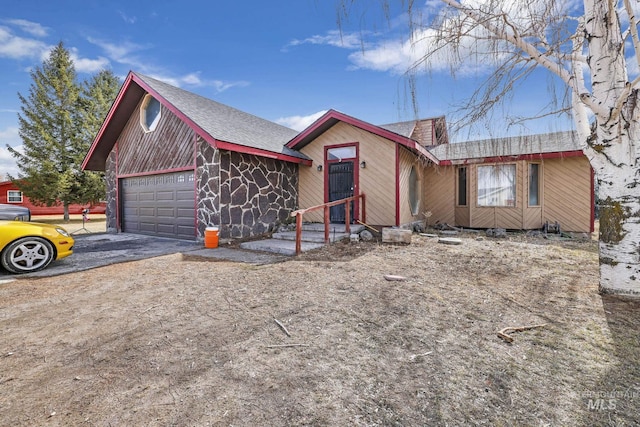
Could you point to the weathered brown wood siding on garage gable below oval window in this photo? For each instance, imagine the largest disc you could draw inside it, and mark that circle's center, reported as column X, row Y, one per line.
column 170, row 146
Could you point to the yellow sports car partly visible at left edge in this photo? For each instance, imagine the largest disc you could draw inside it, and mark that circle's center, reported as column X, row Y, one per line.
column 26, row 247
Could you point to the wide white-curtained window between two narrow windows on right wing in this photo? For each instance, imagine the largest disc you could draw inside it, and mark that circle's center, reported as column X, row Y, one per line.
column 497, row 185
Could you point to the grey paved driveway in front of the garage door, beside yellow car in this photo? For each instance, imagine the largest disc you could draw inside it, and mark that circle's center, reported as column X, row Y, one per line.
column 97, row 250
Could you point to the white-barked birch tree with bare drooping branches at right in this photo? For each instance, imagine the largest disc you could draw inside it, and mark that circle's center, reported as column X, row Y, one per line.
column 592, row 47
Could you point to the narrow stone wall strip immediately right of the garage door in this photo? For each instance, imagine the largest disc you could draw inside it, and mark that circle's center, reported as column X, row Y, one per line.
column 208, row 190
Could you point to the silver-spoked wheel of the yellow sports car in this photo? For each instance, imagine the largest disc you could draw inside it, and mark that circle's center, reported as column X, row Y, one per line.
column 27, row 255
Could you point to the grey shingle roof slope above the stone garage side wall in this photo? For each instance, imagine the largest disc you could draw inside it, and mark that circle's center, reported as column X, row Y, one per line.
column 226, row 123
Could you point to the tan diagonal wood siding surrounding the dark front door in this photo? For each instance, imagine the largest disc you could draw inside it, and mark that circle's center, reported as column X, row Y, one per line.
column 377, row 180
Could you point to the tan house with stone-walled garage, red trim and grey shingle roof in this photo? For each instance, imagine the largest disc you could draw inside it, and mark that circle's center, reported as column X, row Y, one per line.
column 177, row 163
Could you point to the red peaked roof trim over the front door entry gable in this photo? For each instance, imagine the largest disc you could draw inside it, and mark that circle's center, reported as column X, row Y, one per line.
column 333, row 115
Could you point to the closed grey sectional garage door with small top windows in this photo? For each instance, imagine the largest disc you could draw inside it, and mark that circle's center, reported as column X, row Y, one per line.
column 162, row 205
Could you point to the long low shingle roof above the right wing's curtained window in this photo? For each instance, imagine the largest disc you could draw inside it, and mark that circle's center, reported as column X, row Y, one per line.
column 557, row 142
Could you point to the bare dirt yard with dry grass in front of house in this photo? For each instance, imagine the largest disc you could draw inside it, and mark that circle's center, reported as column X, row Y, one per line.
column 326, row 340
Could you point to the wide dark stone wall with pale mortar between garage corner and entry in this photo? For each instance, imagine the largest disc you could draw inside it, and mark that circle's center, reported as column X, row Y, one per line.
column 256, row 194
